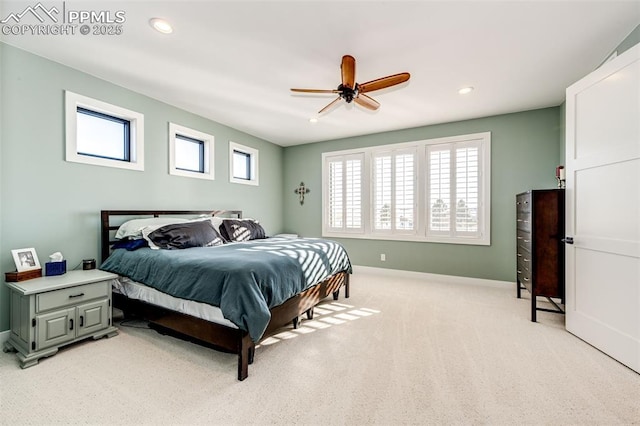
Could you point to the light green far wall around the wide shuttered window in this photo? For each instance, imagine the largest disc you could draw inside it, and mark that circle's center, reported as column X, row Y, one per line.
column 524, row 154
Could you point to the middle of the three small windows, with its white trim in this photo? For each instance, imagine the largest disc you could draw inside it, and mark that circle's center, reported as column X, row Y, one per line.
column 191, row 153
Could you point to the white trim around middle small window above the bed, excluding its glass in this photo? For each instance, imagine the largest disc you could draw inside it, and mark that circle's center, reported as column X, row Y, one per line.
column 208, row 156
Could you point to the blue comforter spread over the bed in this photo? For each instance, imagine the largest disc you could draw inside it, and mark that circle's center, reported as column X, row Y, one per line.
column 243, row 279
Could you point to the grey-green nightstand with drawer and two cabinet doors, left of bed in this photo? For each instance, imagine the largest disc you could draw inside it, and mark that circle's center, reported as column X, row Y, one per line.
column 50, row 312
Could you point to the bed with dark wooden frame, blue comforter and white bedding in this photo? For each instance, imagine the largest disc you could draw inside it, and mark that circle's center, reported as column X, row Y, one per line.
column 232, row 295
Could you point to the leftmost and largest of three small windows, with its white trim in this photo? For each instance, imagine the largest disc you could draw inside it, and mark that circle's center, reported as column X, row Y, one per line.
column 102, row 134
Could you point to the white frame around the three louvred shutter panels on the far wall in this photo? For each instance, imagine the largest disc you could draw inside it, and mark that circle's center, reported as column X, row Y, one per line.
column 419, row 234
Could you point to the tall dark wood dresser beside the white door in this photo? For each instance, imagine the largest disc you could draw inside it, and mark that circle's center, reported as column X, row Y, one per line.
column 539, row 246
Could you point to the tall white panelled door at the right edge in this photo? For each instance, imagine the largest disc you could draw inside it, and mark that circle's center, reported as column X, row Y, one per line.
column 603, row 208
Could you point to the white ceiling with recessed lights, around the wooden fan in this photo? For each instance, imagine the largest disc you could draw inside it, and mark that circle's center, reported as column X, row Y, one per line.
column 234, row 62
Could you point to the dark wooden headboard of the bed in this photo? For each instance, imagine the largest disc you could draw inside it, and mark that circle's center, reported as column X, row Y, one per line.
column 107, row 225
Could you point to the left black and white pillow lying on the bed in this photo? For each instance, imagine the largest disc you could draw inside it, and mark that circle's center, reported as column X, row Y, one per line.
column 184, row 235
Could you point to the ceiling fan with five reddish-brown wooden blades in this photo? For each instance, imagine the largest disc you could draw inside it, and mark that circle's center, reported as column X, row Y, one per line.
column 349, row 90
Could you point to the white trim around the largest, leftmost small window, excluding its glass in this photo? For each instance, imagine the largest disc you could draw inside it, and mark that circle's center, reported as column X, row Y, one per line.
column 73, row 101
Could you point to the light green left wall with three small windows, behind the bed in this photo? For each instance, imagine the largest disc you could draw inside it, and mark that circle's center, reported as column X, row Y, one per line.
column 53, row 205
